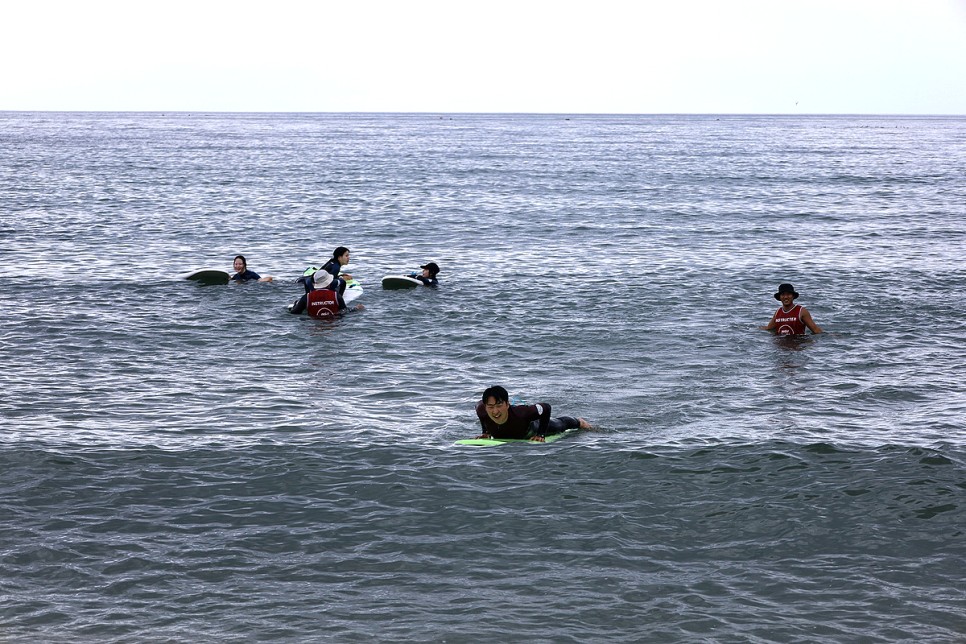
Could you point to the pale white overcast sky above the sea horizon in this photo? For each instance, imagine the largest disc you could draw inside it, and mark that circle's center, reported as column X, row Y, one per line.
column 599, row 56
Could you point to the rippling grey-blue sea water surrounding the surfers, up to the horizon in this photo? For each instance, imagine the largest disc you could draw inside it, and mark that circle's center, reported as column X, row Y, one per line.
column 188, row 463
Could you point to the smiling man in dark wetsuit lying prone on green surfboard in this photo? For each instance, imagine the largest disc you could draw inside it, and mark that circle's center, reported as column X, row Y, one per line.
column 500, row 419
